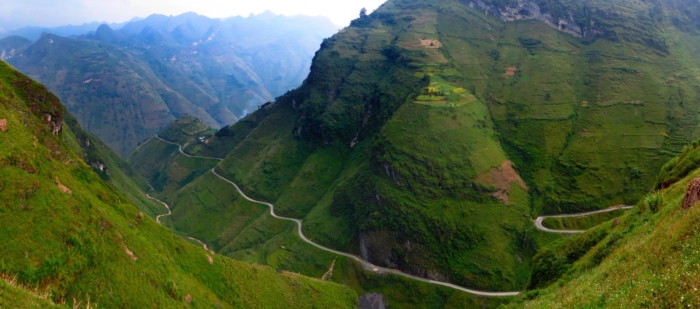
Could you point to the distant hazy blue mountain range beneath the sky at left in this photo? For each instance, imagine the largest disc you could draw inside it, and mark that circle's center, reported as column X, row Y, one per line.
column 125, row 85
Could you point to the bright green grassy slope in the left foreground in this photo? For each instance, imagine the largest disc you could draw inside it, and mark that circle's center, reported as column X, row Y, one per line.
column 74, row 245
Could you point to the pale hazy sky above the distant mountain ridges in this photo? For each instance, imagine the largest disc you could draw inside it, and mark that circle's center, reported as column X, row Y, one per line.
column 51, row 13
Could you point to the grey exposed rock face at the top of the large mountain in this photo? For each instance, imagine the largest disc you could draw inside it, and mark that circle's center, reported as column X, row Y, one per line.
column 528, row 9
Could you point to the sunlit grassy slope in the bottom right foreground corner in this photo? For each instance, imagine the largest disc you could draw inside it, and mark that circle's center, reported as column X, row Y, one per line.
column 648, row 260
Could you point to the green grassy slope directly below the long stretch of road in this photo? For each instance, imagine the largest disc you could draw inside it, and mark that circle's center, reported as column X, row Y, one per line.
column 210, row 210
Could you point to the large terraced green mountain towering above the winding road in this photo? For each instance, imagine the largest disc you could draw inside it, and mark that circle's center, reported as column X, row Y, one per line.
column 429, row 135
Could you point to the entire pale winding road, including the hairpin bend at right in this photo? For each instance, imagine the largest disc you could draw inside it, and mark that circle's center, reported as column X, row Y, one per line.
column 367, row 265
